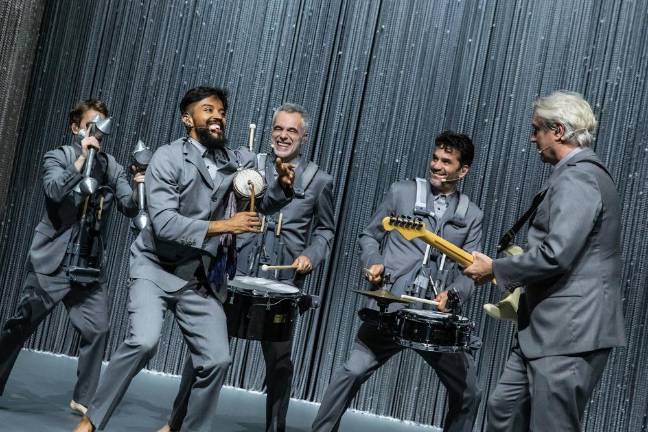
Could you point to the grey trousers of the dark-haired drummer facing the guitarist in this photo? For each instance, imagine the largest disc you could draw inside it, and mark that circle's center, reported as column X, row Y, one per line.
column 457, row 372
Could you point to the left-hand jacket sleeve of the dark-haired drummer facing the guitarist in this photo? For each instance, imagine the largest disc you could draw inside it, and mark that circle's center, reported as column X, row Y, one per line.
column 372, row 237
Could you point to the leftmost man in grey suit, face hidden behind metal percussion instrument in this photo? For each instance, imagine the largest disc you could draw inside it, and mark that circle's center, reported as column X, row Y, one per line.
column 52, row 255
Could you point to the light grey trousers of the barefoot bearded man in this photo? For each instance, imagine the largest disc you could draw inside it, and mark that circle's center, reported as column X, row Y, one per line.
column 202, row 322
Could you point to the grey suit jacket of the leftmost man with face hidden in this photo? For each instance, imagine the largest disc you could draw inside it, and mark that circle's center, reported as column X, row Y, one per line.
column 54, row 231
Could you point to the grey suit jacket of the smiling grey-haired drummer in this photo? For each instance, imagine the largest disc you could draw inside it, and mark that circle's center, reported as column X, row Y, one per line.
column 308, row 226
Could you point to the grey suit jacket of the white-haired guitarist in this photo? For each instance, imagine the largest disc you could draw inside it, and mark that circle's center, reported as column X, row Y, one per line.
column 571, row 270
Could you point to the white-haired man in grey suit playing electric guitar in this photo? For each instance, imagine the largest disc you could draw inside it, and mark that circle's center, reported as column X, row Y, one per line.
column 569, row 316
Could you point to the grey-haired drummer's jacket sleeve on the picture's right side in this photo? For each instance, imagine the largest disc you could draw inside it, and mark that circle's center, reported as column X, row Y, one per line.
column 323, row 227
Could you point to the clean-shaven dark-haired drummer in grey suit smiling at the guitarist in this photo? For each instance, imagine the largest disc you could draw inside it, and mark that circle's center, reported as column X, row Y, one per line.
column 453, row 216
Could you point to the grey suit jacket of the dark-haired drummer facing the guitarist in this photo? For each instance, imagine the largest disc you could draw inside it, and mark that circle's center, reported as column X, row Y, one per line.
column 402, row 258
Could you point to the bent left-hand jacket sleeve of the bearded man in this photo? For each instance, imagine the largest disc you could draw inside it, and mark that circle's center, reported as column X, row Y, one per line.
column 162, row 189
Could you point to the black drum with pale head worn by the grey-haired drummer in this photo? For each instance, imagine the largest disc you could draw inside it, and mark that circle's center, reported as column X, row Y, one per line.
column 261, row 309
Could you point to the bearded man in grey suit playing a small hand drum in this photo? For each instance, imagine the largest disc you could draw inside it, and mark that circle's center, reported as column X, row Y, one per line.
column 181, row 260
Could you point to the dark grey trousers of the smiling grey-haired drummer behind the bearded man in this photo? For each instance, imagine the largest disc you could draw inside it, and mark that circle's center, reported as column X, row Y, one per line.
column 279, row 373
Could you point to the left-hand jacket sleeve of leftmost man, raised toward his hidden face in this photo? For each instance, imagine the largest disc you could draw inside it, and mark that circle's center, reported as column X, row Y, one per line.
column 58, row 178
